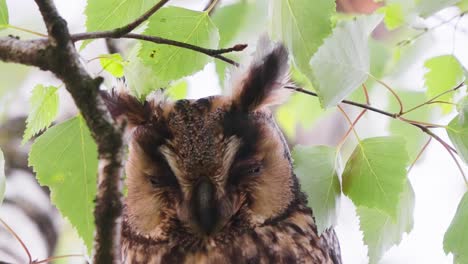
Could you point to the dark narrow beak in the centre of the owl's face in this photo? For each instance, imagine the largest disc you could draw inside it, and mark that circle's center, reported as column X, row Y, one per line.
column 204, row 207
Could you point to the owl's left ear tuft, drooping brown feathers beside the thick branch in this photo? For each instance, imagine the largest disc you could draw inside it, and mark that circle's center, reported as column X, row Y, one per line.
column 122, row 105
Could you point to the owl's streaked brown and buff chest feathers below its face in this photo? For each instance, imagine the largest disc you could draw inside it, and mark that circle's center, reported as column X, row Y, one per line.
column 291, row 240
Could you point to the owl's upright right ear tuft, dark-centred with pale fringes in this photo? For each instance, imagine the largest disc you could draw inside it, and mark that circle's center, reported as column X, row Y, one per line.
column 263, row 83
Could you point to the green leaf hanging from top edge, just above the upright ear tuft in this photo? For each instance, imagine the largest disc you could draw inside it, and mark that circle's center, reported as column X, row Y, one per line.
column 302, row 25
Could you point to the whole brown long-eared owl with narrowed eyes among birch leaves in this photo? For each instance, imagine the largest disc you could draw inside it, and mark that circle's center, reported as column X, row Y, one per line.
column 211, row 180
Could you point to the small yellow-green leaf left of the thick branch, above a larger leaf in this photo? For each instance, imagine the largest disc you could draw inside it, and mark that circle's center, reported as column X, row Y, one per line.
column 44, row 104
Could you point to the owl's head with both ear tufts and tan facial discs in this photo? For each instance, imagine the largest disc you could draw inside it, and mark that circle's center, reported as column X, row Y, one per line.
column 209, row 165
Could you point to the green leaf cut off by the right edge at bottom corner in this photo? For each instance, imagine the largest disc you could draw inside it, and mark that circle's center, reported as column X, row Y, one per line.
column 456, row 237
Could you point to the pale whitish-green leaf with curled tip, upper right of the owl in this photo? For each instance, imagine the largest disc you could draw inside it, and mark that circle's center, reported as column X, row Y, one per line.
column 342, row 63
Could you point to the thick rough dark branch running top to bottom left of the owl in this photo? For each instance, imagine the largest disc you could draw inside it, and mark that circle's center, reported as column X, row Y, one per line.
column 63, row 60
